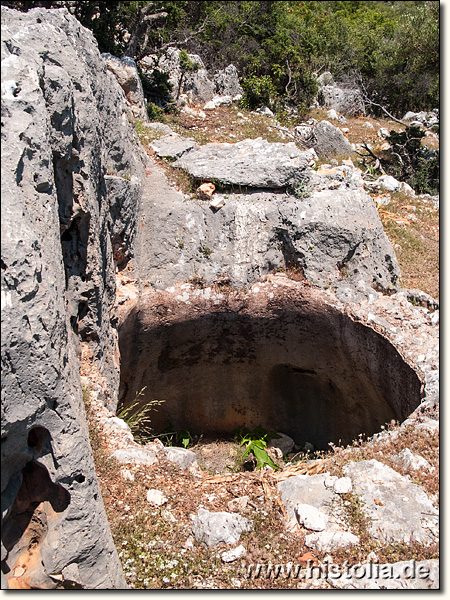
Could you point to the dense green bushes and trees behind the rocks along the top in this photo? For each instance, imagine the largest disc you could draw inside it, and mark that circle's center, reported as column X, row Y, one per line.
column 390, row 48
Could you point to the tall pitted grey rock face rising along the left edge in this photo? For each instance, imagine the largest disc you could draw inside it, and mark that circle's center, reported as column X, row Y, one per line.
column 71, row 174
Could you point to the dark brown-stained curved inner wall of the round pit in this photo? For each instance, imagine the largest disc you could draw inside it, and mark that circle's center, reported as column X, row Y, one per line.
column 296, row 366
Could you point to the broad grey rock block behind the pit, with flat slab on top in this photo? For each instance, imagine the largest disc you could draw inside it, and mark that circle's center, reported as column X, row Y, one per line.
column 332, row 232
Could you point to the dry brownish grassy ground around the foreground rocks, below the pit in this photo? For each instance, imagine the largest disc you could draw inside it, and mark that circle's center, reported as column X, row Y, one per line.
column 152, row 541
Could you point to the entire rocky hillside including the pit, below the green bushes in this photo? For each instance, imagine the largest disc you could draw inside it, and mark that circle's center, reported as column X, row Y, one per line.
column 217, row 271
